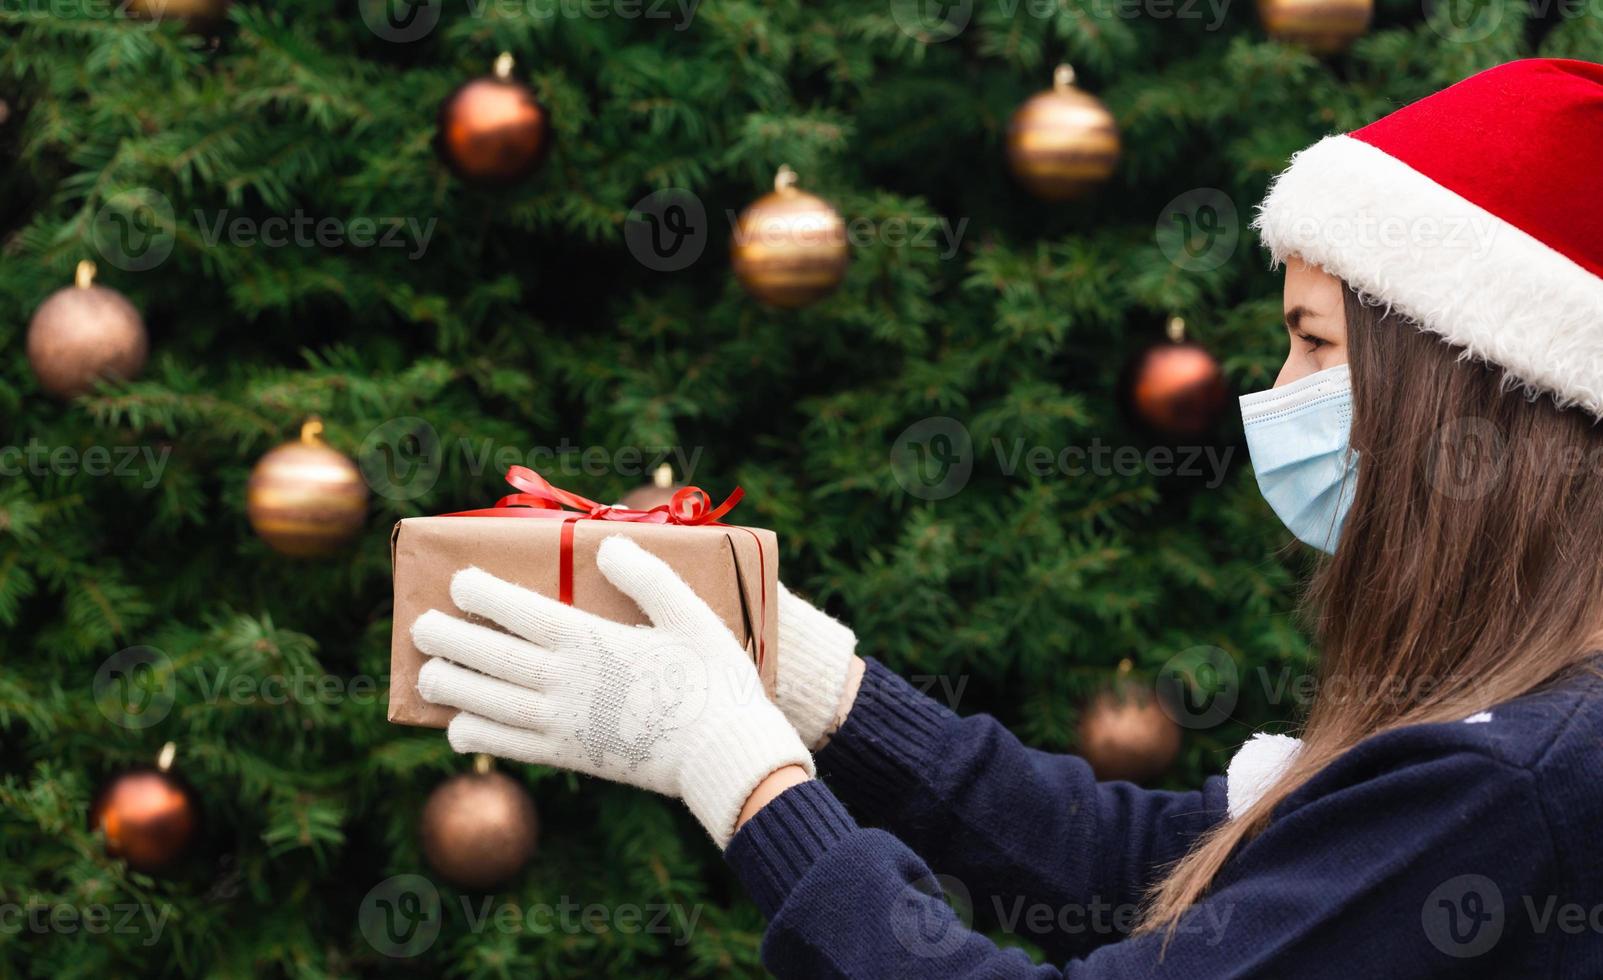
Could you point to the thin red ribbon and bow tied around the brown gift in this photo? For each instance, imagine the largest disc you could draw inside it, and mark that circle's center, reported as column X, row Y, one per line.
column 690, row 508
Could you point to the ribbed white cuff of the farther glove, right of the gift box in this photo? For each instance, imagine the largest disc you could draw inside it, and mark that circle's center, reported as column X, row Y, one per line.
column 815, row 660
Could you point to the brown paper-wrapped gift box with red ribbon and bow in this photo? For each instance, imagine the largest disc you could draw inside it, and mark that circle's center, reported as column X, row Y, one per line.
column 546, row 540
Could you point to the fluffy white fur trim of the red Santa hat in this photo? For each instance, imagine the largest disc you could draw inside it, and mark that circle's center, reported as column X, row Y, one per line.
column 1455, row 269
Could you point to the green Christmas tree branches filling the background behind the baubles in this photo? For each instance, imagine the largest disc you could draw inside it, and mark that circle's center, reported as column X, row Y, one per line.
column 945, row 445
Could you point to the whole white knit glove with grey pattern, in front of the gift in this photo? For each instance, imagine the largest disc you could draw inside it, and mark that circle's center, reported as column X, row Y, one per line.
column 676, row 708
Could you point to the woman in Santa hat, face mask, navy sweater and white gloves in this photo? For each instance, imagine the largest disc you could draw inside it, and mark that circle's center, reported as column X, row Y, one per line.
column 1435, row 427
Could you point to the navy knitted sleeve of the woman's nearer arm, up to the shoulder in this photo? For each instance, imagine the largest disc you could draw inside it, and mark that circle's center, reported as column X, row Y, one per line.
column 1421, row 869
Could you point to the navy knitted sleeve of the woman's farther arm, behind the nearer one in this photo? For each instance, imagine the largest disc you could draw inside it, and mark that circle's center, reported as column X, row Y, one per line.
column 1017, row 825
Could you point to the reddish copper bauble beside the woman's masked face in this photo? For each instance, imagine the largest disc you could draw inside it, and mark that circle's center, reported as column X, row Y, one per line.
column 1177, row 387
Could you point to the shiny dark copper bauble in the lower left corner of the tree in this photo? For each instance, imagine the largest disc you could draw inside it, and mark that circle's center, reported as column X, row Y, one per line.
column 148, row 819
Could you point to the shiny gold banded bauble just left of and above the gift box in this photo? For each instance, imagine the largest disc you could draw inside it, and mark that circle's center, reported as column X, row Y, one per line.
column 307, row 500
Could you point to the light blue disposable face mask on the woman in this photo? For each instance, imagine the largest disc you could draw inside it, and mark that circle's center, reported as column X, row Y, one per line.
column 1299, row 440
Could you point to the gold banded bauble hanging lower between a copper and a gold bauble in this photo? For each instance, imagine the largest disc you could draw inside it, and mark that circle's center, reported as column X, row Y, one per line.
column 789, row 248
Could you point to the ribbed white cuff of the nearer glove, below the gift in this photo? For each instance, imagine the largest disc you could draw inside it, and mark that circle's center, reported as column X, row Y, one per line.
column 738, row 753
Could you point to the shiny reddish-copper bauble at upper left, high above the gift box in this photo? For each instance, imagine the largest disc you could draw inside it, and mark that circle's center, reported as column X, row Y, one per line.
column 495, row 129
